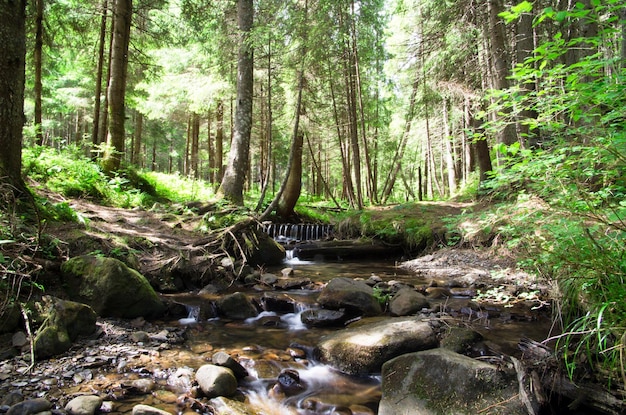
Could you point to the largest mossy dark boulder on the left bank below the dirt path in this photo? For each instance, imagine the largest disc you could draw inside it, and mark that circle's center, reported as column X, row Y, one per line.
column 110, row 287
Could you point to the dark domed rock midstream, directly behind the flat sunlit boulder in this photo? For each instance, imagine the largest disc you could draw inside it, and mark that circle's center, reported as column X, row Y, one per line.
column 356, row 297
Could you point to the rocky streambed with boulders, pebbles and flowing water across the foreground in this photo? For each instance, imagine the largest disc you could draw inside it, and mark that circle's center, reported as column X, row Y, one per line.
column 293, row 343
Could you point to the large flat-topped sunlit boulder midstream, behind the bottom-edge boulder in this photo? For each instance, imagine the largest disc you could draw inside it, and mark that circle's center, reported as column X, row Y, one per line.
column 363, row 350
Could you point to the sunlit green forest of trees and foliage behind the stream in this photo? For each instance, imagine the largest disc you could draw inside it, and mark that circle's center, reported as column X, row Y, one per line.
column 360, row 103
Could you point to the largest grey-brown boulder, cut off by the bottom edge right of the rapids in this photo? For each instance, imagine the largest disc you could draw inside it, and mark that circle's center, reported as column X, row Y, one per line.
column 440, row 381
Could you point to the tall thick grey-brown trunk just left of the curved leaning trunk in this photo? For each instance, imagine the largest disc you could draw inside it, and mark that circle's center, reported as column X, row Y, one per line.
column 235, row 175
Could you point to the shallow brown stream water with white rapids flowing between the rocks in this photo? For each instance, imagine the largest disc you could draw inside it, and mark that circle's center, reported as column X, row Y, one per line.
column 271, row 343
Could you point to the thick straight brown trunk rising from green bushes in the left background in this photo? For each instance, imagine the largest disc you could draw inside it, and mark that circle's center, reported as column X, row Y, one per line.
column 117, row 89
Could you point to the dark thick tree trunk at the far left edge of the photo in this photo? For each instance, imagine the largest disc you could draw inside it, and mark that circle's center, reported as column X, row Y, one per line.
column 12, row 68
